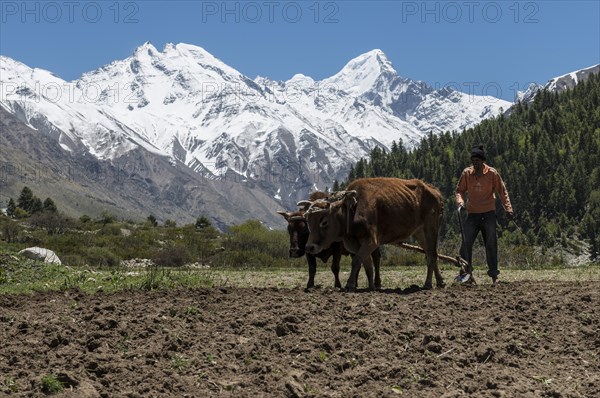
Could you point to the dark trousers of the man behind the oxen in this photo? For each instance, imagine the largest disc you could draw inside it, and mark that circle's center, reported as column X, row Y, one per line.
column 486, row 223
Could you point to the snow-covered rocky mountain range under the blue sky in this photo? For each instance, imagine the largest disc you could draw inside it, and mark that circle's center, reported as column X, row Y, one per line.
column 184, row 104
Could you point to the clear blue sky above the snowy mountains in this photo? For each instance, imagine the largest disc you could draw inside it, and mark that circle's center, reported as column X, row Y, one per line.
column 489, row 47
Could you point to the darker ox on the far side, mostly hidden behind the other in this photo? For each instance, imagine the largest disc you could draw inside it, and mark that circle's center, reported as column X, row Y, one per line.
column 298, row 231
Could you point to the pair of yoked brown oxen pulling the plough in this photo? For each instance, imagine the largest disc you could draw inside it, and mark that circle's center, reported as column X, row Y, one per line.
column 371, row 212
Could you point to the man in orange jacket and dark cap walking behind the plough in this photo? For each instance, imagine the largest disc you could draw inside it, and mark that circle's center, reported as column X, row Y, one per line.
column 480, row 183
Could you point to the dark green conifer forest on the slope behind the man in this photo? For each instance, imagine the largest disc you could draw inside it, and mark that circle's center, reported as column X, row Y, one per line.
column 547, row 152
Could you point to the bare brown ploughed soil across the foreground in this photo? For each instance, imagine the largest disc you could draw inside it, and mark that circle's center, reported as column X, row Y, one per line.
column 519, row 339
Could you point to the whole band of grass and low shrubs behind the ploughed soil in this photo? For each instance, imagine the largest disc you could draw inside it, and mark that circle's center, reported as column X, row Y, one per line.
column 248, row 255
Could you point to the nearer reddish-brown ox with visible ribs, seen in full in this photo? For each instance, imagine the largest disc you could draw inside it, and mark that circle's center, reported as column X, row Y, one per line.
column 377, row 211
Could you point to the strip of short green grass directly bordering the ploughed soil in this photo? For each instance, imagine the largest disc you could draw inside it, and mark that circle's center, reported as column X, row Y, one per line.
column 21, row 276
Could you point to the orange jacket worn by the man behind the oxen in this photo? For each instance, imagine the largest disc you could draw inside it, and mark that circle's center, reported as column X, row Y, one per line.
column 480, row 190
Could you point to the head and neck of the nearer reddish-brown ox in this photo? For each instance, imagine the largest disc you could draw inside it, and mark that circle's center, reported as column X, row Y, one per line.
column 328, row 220
